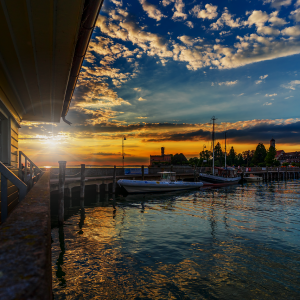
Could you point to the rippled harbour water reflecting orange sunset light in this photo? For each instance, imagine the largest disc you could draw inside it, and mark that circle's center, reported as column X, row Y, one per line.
column 239, row 242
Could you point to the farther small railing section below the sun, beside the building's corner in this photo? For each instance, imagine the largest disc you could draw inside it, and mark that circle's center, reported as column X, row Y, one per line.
column 30, row 174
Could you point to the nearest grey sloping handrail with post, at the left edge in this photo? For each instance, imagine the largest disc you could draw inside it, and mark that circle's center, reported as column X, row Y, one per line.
column 6, row 174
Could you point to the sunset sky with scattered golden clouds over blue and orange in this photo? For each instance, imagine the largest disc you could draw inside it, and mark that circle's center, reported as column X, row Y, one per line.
column 157, row 71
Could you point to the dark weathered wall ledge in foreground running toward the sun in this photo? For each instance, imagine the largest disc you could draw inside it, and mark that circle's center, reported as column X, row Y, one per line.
column 25, row 247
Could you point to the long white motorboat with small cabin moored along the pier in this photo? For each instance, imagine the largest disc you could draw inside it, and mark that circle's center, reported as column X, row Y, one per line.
column 167, row 183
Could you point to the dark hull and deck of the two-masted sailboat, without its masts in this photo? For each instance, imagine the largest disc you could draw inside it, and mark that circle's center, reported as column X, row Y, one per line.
column 224, row 175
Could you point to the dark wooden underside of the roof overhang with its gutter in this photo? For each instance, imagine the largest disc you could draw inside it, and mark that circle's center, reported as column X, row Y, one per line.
column 42, row 48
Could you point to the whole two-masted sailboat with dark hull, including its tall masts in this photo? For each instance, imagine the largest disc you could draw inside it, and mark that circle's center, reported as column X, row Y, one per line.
column 226, row 175
